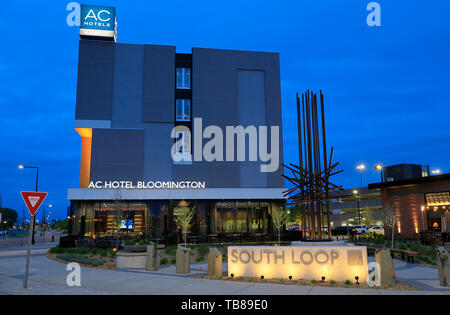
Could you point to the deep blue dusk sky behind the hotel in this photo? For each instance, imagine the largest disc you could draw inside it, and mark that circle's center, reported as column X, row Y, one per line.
column 386, row 89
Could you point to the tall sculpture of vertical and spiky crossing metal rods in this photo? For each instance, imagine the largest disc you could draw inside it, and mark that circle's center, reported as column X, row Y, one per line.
column 312, row 189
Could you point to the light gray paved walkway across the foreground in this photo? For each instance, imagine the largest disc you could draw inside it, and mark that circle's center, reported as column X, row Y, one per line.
column 49, row 277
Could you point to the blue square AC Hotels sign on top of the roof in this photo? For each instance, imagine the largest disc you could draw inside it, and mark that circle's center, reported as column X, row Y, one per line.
column 98, row 22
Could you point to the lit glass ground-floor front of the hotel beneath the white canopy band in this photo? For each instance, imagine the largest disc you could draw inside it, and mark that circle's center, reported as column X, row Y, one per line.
column 154, row 219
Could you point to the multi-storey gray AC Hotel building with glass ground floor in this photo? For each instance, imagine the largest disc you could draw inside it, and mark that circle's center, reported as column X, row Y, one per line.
column 129, row 99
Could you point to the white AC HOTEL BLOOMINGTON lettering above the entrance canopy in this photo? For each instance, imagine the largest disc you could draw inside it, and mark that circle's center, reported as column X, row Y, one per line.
column 126, row 184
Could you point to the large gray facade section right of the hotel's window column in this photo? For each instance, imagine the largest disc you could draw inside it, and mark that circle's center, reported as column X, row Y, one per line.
column 224, row 94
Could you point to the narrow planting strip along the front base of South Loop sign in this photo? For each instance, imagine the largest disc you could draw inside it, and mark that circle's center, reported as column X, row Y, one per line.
column 347, row 284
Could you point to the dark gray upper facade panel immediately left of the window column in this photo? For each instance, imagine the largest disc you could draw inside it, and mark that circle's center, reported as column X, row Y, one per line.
column 159, row 84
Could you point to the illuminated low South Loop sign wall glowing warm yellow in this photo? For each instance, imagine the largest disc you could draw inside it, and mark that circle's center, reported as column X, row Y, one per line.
column 337, row 263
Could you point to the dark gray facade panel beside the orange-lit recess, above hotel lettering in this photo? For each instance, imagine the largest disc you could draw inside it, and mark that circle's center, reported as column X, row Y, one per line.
column 117, row 154
